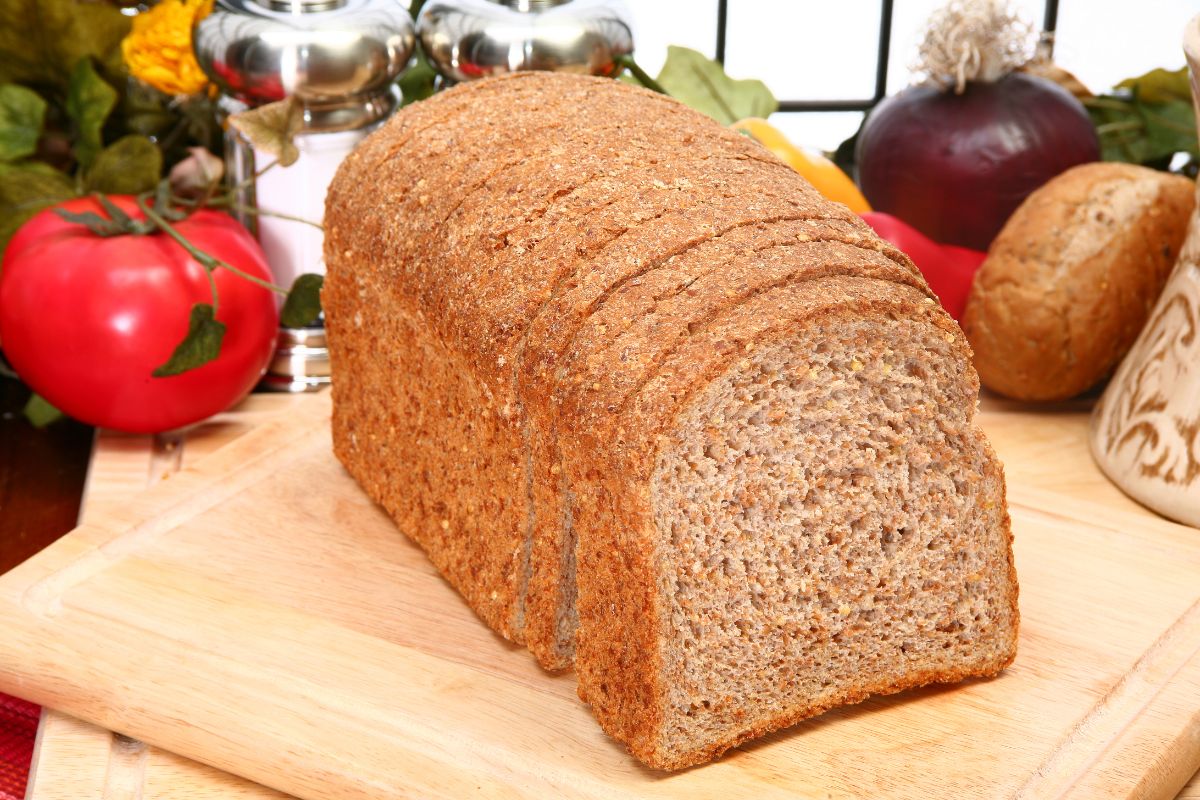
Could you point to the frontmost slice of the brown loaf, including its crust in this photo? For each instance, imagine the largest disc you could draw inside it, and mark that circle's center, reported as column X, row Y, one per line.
column 795, row 514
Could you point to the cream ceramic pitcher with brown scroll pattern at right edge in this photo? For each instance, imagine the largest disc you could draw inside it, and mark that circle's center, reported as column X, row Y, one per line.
column 1147, row 429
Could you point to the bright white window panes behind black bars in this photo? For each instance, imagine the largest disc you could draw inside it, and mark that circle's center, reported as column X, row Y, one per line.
column 813, row 50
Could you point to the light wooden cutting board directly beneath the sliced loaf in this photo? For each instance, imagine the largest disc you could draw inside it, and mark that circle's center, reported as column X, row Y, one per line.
column 260, row 616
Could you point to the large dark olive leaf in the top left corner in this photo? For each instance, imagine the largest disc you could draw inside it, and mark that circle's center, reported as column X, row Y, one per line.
column 41, row 41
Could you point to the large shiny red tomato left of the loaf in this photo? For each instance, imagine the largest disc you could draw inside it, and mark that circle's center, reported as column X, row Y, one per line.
column 86, row 320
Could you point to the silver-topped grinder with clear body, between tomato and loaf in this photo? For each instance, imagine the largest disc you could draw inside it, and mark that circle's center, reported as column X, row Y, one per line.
column 340, row 61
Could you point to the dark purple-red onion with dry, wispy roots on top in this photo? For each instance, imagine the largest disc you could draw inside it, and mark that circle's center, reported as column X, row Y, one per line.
column 956, row 158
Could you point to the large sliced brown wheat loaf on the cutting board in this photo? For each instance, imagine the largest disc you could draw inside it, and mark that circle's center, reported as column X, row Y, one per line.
column 658, row 410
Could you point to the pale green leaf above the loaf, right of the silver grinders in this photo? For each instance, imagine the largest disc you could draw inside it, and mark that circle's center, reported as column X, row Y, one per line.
column 699, row 82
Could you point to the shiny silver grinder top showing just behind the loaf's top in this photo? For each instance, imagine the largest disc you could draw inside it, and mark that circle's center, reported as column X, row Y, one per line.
column 466, row 40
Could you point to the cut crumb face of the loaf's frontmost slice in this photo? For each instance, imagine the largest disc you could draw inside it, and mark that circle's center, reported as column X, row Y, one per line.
column 831, row 526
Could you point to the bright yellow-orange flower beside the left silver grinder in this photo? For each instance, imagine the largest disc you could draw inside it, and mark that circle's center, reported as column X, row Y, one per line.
column 159, row 49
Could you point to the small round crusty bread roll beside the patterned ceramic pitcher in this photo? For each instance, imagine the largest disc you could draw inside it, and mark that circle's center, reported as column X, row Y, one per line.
column 1072, row 278
